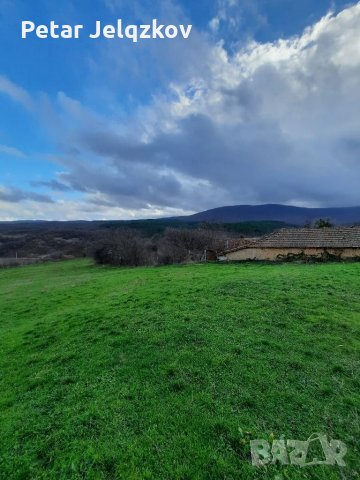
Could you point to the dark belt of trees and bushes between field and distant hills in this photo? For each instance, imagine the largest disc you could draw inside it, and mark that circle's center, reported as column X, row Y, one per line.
column 137, row 242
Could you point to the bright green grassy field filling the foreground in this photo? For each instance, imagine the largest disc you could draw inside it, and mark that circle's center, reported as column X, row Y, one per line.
column 167, row 373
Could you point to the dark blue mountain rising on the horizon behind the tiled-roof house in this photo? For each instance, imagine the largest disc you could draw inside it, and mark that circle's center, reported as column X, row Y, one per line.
column 280, row 213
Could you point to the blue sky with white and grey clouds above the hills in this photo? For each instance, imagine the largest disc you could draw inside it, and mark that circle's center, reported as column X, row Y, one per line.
column 259, row 105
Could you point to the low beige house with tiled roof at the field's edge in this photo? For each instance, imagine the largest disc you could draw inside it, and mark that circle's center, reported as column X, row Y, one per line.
column 300, row 243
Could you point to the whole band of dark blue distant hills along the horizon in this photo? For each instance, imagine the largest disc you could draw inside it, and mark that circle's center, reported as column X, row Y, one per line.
column 244, row 219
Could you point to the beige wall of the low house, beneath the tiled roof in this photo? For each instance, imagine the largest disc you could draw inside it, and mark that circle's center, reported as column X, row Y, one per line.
column 273, row 254
